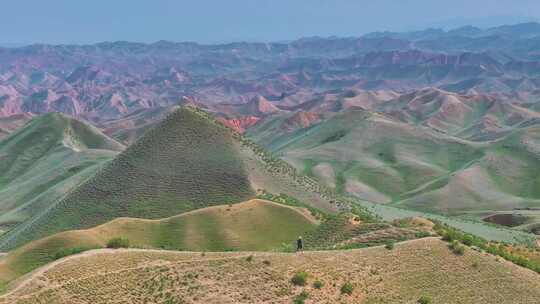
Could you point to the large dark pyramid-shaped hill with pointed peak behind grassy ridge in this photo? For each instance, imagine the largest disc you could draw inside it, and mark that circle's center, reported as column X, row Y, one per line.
column 186, row 162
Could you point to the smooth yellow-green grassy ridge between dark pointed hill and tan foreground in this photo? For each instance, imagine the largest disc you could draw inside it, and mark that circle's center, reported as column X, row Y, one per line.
column 252, row 225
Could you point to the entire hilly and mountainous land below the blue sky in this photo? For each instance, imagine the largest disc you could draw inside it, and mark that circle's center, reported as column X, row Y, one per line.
column 184, row 173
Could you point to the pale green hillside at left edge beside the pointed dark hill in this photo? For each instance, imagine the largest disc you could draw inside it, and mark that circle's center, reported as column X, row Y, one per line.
column 41, row 161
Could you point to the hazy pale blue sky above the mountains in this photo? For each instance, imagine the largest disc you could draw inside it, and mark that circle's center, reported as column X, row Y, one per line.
column 87, row 21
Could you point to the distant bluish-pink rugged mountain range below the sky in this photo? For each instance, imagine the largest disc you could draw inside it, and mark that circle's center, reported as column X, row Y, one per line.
column 111, row 79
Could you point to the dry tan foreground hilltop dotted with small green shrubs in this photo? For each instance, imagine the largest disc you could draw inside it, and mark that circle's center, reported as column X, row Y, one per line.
column 401, row 275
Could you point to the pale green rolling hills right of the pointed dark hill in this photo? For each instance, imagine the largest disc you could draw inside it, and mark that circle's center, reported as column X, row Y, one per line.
column 382, row 160
